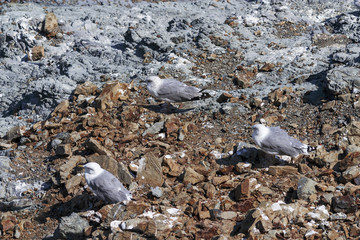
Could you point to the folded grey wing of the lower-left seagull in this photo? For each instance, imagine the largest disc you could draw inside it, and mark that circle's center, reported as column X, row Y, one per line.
column 106, row 186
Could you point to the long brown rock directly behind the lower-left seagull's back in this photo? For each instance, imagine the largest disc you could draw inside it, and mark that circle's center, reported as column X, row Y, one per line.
column 118, row 169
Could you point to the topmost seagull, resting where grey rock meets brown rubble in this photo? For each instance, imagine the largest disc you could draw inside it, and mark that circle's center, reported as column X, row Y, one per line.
column 172, row 90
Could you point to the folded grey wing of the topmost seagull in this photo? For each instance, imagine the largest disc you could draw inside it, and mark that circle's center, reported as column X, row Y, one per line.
column 177, row 91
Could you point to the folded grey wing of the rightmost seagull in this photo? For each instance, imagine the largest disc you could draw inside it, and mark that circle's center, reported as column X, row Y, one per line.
column 279, row 142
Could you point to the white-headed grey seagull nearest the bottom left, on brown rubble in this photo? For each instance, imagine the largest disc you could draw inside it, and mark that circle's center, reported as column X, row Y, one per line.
column 105, row 185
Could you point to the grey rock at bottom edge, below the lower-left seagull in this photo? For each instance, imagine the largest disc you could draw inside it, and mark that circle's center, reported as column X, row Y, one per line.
column 72, row 227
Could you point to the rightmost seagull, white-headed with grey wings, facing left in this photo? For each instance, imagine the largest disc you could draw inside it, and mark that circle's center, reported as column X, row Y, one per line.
column 276, row 141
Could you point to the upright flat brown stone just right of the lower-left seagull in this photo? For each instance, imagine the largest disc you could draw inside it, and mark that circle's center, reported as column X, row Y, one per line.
column 150, row 171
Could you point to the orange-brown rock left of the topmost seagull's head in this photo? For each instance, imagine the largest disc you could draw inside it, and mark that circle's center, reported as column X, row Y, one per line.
column 111, row 93
